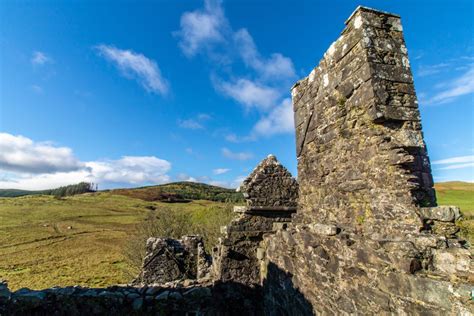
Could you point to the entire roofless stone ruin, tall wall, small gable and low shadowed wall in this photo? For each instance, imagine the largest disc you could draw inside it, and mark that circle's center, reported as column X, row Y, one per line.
column 359, row 234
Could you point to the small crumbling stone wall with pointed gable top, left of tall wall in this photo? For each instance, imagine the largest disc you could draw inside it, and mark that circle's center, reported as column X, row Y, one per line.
column 271, row 195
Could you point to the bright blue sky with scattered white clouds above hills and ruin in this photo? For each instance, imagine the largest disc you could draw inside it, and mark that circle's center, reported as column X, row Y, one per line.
column 133, row 93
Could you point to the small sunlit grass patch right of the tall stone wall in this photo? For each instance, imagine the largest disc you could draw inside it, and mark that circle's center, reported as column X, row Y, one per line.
column 460, row 194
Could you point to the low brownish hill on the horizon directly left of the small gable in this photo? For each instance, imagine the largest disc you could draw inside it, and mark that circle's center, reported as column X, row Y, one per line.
column 182, row 192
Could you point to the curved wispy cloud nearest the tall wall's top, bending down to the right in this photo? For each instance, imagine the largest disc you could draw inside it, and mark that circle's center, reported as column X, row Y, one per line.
column 276, row 67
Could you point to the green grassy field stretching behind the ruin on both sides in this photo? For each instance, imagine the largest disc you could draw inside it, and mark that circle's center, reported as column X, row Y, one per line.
column 47, row 241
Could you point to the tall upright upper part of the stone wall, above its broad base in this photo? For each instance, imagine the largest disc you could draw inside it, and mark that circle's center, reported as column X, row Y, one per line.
column 361, row 155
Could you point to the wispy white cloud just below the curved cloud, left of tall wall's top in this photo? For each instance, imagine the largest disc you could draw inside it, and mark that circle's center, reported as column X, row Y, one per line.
column 249, row 93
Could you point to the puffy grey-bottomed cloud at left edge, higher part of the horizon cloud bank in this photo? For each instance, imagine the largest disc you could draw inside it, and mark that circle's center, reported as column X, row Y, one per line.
column 21, row 154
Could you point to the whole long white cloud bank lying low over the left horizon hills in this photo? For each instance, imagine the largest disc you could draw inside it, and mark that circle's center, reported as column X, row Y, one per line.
column 25, row 164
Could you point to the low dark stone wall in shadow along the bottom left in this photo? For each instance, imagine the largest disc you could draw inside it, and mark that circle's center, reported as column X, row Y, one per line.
column 167, row 299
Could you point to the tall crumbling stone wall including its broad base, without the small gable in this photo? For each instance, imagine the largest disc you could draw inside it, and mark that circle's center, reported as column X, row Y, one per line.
column 367, row 236
